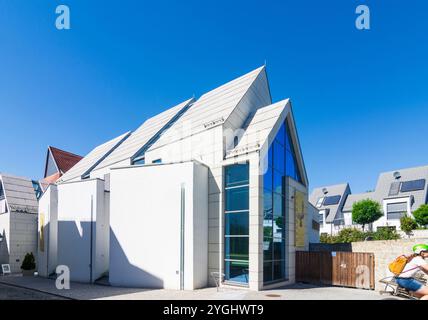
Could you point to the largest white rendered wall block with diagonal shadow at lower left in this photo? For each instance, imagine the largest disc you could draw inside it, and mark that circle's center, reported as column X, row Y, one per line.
column 145, row 220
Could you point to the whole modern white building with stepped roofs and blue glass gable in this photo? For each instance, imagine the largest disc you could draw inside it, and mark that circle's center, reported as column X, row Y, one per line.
column 212, row 188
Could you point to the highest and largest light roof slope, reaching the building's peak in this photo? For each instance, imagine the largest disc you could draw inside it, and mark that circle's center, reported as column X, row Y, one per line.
column 211, row 109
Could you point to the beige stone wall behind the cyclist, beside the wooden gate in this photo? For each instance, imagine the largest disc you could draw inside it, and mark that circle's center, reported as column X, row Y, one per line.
column 385, row 252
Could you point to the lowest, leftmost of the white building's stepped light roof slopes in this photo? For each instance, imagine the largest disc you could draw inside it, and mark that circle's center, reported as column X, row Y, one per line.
column 93, row 158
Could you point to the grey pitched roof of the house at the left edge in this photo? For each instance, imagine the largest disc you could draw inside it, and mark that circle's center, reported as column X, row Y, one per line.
column 19, row 193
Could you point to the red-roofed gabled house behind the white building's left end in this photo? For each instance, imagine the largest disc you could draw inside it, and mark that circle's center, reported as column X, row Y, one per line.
column 58, row 162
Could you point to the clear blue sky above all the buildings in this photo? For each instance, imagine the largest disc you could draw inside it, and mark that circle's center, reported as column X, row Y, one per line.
column 360, row 97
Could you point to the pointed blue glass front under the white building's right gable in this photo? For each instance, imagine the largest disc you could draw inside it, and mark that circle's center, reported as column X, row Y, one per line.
column 281, row 163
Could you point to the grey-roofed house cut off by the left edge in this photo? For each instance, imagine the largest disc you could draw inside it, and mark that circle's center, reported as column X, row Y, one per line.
column 18, row 219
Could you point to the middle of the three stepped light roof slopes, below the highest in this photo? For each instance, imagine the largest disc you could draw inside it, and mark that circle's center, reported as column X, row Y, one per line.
column 142, row 135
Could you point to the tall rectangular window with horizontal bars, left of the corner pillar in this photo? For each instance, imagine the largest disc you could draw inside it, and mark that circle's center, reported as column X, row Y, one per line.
column 236, row 223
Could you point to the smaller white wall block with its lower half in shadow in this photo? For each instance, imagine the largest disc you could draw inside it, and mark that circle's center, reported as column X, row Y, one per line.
column 80, row 208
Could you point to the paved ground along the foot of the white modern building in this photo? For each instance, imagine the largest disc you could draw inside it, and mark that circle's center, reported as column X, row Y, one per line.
column 81, row 291
